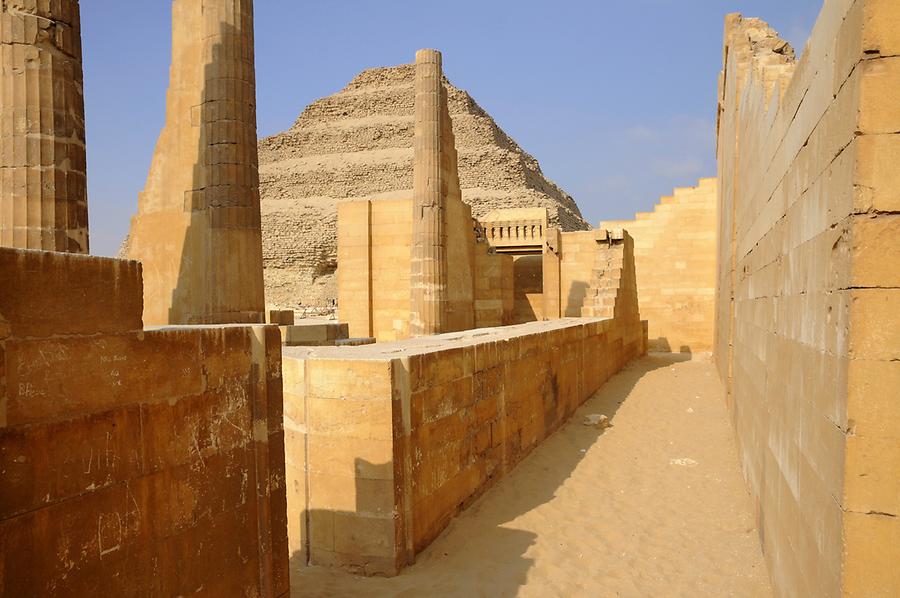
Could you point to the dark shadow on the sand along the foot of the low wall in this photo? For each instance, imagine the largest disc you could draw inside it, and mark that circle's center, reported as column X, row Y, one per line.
column 480, row 553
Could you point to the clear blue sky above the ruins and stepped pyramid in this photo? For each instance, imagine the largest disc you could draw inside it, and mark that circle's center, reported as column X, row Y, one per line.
column 615, row 98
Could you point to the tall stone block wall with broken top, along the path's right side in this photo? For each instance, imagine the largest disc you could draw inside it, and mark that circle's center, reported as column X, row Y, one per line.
column 807, row 336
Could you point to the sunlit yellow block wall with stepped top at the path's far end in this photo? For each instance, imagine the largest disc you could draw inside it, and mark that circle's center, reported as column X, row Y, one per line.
column 675, row 255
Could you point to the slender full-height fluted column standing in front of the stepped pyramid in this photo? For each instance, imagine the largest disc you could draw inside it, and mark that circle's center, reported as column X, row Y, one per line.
column 428, row 277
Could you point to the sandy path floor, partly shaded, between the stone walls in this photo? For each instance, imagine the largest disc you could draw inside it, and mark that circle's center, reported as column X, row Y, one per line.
column 653, row 506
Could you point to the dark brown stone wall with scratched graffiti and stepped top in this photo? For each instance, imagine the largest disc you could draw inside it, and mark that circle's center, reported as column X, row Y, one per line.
column 133, row 462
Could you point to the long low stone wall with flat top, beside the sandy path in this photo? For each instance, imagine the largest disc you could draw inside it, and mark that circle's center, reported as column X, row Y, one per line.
column 386, row 443
